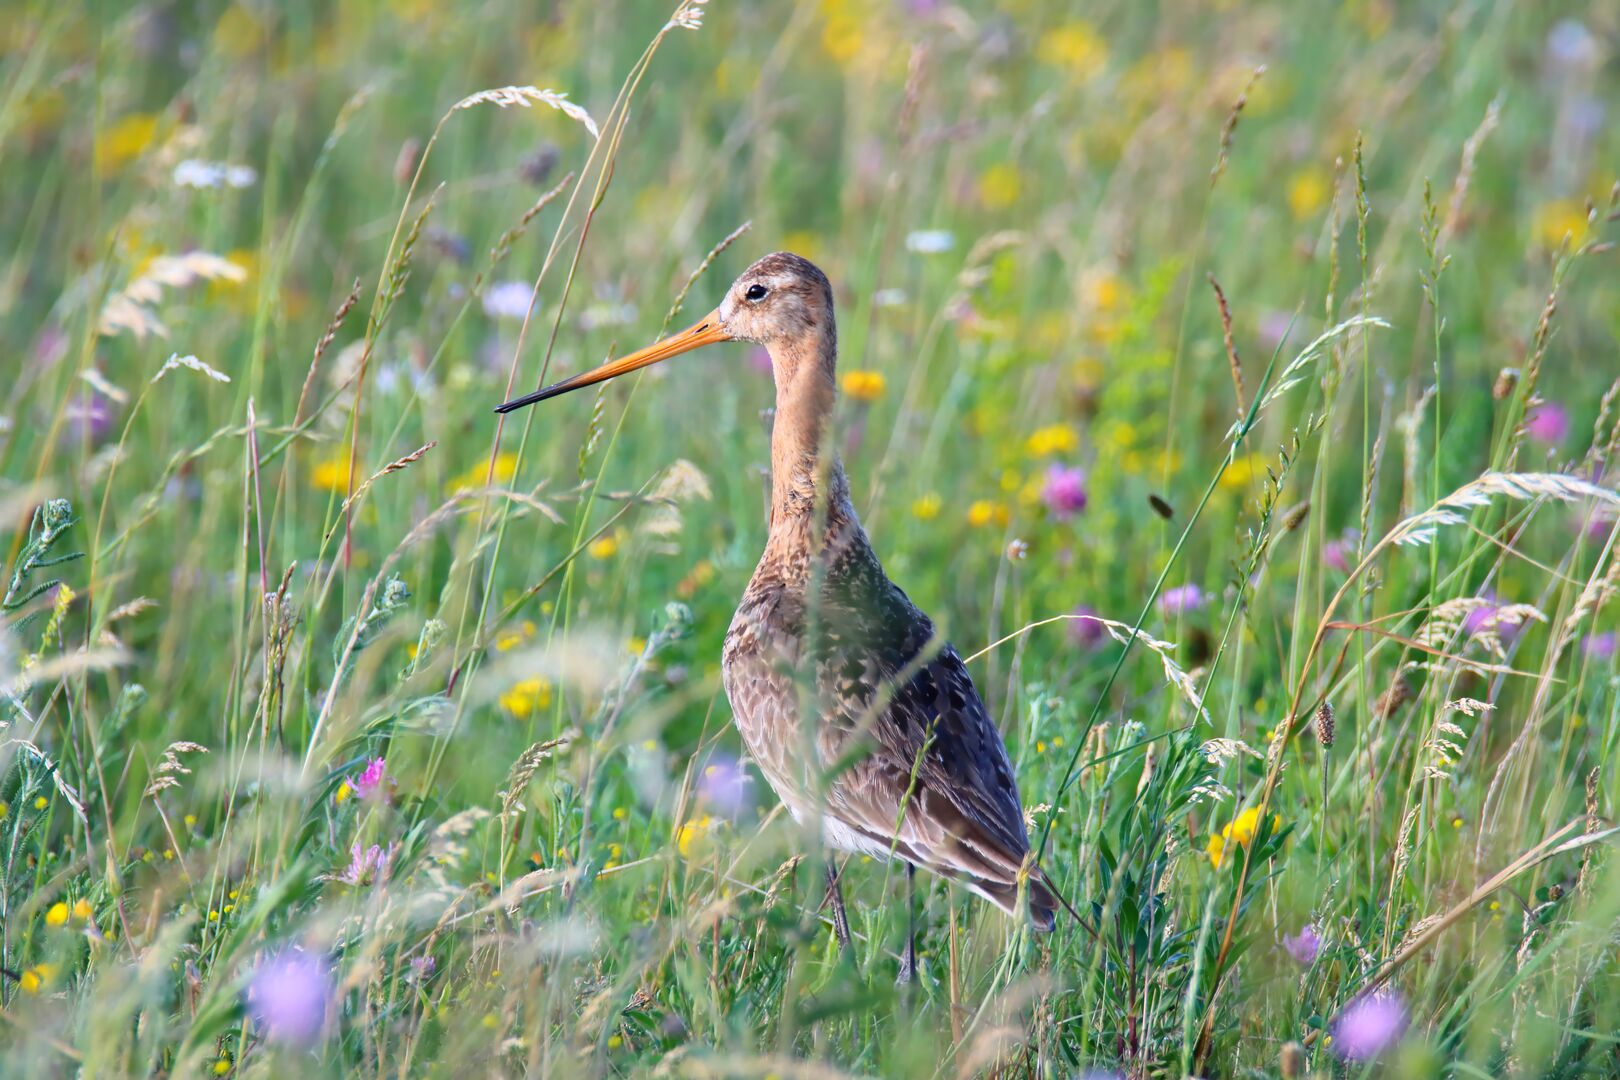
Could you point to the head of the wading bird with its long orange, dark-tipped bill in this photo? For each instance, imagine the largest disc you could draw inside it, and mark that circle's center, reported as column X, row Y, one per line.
column 780, row 300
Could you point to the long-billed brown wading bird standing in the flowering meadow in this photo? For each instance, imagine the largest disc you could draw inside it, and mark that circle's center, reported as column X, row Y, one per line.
column 859, row 715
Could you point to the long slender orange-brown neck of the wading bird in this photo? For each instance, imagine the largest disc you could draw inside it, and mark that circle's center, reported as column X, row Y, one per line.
column 808, row 478
